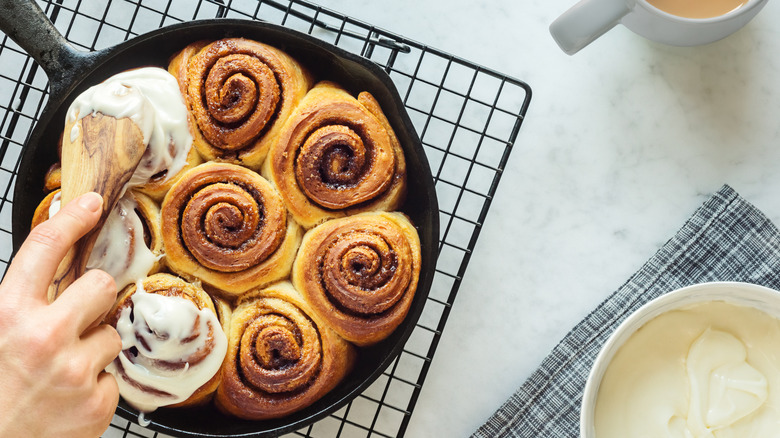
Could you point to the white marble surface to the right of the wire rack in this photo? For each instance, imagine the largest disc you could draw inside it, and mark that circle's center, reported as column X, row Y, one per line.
column 622, row 142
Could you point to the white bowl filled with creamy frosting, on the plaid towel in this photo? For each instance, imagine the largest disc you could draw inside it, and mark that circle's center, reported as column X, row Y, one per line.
column 701, row 361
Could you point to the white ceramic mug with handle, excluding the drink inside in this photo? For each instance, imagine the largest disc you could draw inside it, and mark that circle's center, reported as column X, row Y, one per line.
column 589, row 19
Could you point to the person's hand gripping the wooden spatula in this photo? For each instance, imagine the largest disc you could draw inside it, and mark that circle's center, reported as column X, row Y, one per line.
column 52, row 356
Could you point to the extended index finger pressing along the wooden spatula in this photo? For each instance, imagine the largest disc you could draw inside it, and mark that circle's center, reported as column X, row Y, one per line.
column 36, row 262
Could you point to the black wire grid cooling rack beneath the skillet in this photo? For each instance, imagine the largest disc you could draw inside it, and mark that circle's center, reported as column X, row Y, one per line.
column 467, row 116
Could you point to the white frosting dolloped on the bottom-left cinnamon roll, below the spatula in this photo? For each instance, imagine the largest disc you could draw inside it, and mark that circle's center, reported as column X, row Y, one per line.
column 159, row 330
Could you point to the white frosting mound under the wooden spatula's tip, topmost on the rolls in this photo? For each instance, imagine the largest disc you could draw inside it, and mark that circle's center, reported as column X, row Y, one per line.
column 151, row 98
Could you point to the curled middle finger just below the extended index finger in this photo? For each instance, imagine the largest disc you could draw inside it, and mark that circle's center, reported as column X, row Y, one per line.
column 85, row 302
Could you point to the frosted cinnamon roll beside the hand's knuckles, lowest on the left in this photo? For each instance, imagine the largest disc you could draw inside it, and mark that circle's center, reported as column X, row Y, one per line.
column 173, row 343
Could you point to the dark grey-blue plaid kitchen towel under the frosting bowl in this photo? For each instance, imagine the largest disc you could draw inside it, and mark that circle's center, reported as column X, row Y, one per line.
column 726, row 239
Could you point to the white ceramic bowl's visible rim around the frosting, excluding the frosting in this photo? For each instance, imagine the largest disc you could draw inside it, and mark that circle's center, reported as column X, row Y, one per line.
column 744, row 294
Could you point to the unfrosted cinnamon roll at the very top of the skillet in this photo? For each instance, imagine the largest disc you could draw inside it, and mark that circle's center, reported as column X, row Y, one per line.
column 239, row 93
